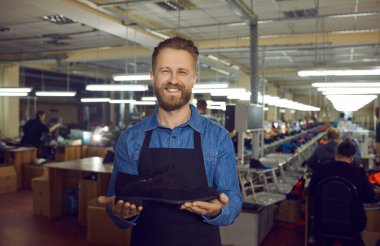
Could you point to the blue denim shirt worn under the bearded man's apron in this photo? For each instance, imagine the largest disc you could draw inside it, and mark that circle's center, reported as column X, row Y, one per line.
column 218, row 154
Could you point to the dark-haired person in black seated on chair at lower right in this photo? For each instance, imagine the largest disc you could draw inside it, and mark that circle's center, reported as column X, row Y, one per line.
column 343, row 168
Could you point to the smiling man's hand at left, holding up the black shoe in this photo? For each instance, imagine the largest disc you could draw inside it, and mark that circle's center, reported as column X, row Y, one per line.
column 121, row 209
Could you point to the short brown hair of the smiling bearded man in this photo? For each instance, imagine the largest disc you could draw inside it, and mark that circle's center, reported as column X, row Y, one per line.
column 178, row 43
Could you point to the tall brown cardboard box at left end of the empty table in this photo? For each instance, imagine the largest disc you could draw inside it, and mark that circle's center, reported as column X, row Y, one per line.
column 40, row 187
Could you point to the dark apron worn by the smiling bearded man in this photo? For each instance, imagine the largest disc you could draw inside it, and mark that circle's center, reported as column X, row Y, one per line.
column 161, row 224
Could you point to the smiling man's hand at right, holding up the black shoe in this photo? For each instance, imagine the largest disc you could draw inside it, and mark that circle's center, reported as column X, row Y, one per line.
column 211, row 208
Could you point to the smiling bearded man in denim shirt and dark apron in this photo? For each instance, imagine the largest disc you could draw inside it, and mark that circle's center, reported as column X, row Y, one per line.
column 176, row 134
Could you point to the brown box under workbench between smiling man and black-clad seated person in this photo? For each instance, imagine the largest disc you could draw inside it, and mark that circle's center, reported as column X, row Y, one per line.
column 289, row 210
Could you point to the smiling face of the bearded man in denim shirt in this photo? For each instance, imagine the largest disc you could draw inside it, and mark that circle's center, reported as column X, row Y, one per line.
column 173, row 78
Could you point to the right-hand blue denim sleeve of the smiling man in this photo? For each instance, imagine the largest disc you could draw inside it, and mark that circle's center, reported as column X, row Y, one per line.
column 226, row 181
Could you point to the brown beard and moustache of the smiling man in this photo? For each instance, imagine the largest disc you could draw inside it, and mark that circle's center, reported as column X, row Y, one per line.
column 170, row 103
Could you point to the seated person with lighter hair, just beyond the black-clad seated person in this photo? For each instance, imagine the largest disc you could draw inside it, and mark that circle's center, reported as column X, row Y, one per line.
column 325, row 153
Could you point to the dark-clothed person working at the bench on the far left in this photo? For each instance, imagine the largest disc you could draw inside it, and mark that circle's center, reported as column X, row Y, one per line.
column 34, row 130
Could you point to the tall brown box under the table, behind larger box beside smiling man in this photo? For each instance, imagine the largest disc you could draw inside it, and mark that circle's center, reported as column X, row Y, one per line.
column 87, row 190
